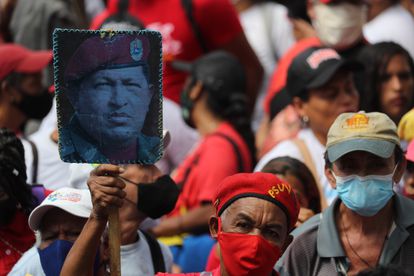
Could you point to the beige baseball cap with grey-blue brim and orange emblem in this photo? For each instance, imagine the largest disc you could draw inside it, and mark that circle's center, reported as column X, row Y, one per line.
column 373, row 132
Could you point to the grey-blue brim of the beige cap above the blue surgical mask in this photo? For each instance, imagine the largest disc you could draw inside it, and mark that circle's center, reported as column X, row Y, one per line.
column 381, row 148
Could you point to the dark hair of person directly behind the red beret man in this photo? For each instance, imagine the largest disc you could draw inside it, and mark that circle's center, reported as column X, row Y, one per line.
column 286, row 165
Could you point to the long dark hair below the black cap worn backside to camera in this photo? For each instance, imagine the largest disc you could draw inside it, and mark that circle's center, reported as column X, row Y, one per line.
column 231, row 106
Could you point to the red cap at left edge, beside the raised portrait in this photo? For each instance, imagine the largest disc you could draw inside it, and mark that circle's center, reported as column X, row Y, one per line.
column 15, row 58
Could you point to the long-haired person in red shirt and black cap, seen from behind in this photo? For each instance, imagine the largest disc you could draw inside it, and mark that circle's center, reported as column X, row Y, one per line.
column 214, row 103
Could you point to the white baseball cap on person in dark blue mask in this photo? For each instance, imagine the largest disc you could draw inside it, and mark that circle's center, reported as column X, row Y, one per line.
column 74, row 201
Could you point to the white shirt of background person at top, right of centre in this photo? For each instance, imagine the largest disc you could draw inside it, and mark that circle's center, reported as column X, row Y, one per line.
column 270, row 33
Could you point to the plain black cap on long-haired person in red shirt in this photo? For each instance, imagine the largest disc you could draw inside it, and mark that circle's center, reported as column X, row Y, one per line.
column 218, row 70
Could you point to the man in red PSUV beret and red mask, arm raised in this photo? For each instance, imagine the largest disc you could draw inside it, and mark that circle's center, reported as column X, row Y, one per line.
column 254, row 213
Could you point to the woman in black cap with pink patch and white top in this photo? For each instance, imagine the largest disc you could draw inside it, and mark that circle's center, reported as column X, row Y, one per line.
column 321, row 86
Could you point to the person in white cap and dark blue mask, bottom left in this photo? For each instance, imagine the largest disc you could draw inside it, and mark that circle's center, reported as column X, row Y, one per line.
column 59, row 219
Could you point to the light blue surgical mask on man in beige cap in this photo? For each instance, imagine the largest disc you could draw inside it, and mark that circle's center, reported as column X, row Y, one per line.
column 365, row 195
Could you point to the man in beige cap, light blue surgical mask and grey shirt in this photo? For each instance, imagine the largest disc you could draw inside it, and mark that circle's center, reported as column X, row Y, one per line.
column 368, row 224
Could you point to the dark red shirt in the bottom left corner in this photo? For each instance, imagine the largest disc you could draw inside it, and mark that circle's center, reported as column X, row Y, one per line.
column 15, row 239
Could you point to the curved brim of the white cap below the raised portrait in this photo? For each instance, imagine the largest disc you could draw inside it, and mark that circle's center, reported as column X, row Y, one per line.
column 37, row 214
